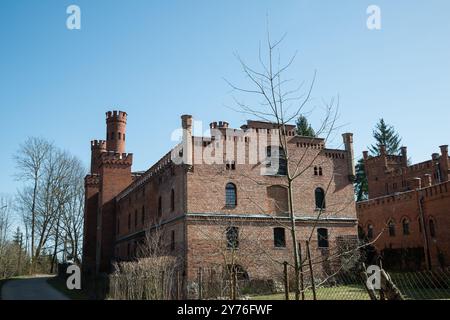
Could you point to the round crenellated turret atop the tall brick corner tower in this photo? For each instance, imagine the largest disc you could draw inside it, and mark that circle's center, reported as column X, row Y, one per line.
column 116, row 125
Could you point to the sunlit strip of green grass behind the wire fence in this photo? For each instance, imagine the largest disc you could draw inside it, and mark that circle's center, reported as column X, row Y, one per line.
column 324, row 293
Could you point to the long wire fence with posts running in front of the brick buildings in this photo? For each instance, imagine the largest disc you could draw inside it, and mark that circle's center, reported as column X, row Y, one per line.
column 213, row 283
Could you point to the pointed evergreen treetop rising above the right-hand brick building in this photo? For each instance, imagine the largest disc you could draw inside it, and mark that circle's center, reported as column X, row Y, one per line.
column 385, row 134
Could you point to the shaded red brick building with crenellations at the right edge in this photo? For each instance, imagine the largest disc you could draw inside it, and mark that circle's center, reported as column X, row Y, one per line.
column 408, row 211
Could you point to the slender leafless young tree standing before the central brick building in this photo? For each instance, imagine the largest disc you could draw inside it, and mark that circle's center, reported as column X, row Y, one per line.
column 280, row 102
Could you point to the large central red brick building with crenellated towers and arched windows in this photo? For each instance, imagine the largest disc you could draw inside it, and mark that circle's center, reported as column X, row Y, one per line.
column 193, row 200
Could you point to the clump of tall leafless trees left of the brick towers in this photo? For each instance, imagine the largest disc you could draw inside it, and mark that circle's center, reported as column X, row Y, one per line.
column 50, row 202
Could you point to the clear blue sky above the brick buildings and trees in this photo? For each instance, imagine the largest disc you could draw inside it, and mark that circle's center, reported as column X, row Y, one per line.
column 160, row 59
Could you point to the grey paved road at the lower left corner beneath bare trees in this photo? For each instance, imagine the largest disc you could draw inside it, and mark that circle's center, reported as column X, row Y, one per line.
column 33, row 288
